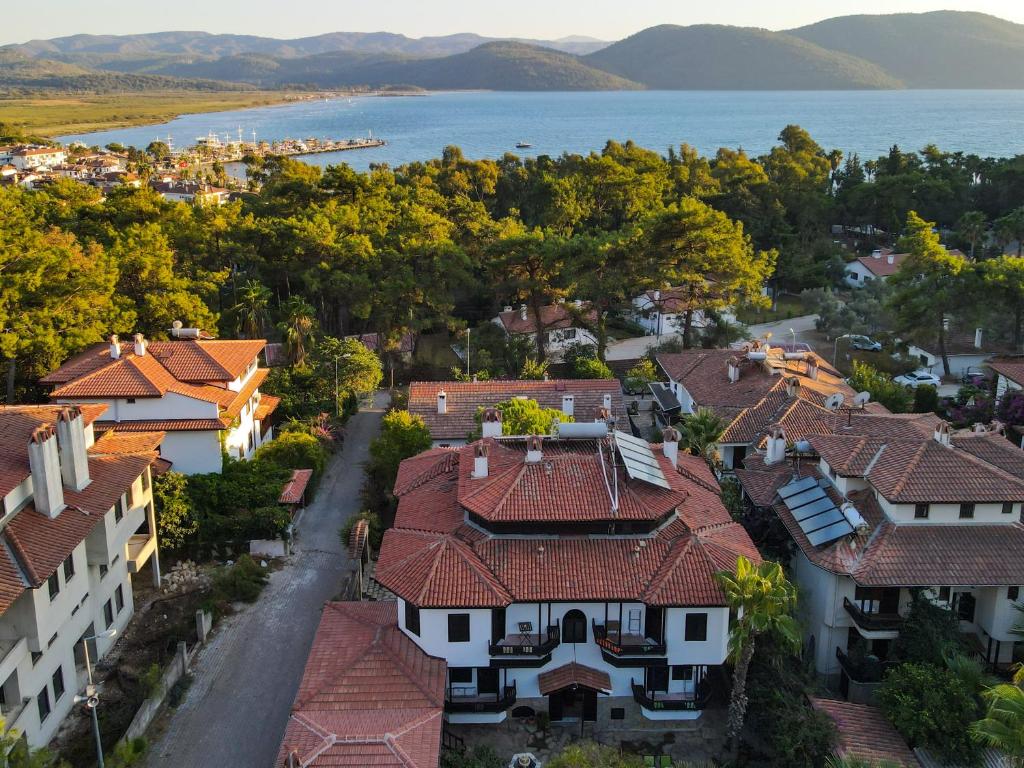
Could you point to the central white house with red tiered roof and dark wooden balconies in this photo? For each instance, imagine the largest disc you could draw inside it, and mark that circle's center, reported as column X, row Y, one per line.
column 573, row 575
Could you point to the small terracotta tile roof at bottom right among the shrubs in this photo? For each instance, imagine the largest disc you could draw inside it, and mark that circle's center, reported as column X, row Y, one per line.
column 866, row 734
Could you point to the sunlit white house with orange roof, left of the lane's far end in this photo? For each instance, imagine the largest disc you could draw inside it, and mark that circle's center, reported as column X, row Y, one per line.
column 203, row 393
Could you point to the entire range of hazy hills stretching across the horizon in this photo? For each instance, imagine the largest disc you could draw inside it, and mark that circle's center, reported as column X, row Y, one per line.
column 941, row 50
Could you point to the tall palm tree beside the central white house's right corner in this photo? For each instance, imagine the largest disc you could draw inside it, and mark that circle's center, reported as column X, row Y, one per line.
column 762, row 600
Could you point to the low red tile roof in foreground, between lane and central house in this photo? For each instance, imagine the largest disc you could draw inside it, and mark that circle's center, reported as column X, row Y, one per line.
column 369, row 696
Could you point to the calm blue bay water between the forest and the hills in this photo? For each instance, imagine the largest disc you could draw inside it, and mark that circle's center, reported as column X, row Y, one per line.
column 487, row 125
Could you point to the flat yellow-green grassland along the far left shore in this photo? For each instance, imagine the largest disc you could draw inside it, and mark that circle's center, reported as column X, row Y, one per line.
column 52, row 116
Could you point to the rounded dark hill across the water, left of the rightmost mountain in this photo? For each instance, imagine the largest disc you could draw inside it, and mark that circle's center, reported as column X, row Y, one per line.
column 709, row 57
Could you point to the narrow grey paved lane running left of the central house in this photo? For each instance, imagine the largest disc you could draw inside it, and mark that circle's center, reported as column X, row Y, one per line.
column 245, row 680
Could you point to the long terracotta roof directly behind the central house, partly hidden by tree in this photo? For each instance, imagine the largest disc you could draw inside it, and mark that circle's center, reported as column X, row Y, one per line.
column 464, row 399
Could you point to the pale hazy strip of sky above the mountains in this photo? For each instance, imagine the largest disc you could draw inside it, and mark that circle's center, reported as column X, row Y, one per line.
column 609, row 20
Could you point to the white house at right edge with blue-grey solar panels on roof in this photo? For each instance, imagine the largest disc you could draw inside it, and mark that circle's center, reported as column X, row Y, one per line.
column 894, row 506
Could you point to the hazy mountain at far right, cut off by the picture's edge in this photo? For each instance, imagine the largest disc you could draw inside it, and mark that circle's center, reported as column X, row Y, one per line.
column 943, row 50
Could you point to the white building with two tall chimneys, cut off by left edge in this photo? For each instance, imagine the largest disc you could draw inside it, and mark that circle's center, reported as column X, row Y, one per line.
column 77, row 524
